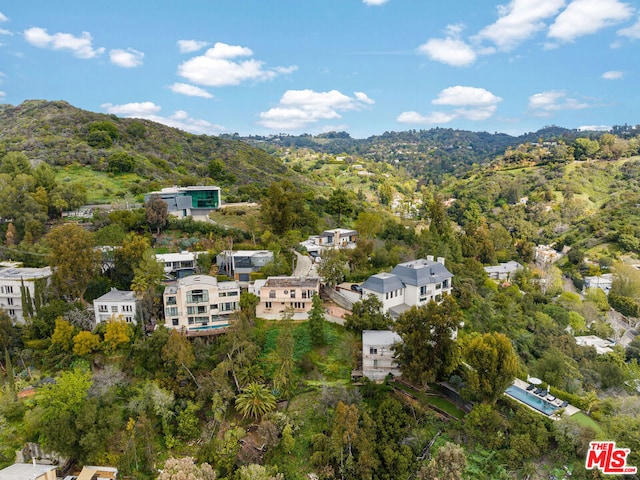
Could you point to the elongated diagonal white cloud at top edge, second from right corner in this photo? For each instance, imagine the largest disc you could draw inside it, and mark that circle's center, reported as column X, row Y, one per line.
column 518, row 21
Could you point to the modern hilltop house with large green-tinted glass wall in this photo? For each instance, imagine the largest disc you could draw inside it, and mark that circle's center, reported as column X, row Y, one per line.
column 189, row 201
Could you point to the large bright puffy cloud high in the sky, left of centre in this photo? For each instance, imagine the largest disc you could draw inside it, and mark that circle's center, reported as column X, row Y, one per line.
column 218, row 67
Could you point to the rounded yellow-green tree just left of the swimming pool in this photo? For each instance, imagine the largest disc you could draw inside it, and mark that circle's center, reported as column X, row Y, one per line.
column 493, row 364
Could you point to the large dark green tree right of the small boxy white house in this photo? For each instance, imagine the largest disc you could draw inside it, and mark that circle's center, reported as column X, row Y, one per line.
column 428, row 350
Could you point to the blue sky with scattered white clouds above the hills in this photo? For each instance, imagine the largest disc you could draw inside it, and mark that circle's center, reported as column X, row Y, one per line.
column 309, row 66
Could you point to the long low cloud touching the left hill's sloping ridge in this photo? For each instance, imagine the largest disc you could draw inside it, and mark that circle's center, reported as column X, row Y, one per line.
column 179, row 119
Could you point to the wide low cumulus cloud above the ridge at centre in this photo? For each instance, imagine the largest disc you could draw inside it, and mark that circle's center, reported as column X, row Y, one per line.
column 299, row 108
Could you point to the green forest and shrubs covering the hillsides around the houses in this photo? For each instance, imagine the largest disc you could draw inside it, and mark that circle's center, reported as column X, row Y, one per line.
column 276, row 399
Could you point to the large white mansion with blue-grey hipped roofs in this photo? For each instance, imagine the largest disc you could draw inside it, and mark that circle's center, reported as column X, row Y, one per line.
column 409, row 284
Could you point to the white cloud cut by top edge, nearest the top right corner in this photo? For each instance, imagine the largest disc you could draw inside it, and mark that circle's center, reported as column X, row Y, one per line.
column 583, row 17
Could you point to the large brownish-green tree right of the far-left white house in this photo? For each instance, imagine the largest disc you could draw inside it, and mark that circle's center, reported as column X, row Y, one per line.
column 73, row 258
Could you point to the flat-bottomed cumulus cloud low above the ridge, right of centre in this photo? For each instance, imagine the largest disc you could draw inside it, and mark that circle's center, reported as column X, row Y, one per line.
column 471, row 103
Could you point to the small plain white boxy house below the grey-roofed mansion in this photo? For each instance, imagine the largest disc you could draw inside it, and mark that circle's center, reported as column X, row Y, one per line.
column 377, row 356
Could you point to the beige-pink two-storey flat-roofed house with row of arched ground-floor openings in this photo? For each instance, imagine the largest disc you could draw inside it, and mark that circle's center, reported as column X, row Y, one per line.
column 280, row 293
